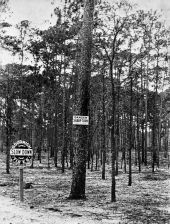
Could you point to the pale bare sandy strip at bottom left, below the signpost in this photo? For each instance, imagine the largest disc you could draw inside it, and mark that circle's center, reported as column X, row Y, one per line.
column 13, row 212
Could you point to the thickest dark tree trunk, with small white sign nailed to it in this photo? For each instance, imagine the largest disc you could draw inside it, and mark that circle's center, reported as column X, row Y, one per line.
column 79, row 170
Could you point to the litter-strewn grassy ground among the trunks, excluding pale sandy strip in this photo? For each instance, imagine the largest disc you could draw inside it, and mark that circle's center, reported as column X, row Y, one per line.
column 146, row 201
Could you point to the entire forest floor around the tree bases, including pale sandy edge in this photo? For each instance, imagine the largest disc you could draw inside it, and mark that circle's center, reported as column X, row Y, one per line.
column 147, row 201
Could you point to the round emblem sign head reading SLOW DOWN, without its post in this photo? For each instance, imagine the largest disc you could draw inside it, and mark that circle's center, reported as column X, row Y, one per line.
column 21, row 151
